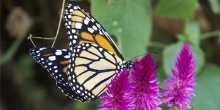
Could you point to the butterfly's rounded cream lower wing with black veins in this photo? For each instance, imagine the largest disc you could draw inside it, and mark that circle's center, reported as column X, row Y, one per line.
column 91, row 70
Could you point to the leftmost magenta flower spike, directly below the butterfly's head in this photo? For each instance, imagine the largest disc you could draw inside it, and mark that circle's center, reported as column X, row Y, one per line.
column 117, row 94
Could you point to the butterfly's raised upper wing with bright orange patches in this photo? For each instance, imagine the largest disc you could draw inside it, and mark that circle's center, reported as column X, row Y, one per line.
column 82, row 27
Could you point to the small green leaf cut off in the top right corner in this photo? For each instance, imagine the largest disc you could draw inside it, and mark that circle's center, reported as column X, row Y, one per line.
column 215, row 6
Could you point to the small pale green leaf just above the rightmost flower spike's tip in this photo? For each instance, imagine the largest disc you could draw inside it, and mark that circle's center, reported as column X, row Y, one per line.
column 192, row 33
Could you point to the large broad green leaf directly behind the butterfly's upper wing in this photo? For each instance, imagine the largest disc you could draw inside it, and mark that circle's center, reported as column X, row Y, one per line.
column 129, row 21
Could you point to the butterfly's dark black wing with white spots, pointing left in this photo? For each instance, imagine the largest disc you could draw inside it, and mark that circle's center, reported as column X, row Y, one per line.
column 55, row 61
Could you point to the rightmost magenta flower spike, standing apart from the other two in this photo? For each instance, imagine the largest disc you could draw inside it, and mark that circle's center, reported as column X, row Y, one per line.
column 179, row 88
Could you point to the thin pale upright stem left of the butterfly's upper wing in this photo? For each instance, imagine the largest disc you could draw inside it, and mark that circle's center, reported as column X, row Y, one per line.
column 60, row 20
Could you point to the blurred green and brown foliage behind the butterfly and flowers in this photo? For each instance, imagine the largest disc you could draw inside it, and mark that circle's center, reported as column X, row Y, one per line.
column 138, row 26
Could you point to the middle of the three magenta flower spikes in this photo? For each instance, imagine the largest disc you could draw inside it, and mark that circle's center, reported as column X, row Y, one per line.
column 145, row 89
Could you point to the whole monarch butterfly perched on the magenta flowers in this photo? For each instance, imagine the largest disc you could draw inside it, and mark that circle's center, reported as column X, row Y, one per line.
column 83, row 70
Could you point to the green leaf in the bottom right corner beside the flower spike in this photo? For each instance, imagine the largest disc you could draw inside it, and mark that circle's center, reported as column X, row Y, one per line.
column 207, row 89
